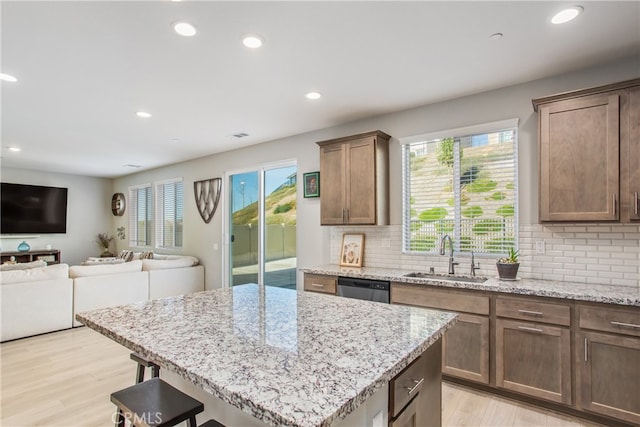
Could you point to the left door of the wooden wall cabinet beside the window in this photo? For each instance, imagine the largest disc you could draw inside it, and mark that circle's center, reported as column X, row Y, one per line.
column 332, row 184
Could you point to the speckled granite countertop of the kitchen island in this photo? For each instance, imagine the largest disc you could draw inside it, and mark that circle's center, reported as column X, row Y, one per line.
column 288, row 358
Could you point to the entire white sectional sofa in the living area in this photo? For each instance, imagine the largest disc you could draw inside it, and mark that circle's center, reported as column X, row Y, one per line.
column 46, row 299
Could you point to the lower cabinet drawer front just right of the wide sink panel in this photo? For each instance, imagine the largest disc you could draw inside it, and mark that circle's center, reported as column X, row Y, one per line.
column 533, row 311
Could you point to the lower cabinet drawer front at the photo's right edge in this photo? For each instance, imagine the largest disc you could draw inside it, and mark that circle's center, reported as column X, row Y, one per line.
column 616, row 320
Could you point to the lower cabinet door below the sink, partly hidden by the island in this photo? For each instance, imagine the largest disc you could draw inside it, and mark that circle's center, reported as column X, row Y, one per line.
column 466, row 349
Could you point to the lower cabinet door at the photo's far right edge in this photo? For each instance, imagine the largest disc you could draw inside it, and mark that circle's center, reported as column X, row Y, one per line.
column 608, row 375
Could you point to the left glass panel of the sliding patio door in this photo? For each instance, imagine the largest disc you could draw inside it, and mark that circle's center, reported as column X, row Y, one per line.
column 244, row 228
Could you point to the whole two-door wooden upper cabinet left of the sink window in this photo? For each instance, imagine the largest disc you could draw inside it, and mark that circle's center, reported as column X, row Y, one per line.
column 354, row 180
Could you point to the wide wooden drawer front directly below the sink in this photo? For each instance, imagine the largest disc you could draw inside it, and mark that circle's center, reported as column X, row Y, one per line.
column 444, row 300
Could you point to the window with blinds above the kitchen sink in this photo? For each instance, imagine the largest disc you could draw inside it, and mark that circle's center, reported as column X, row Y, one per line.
column 462, row 183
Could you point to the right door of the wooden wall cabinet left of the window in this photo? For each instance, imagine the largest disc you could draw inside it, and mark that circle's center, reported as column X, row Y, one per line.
column 361, row 182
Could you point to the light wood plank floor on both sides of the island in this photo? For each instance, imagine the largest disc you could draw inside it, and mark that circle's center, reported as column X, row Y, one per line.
column 65, row 379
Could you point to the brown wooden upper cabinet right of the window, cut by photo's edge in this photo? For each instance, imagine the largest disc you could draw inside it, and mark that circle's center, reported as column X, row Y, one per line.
column 588, row 151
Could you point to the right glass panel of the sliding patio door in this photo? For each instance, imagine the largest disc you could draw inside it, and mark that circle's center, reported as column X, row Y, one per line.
column 280, row 227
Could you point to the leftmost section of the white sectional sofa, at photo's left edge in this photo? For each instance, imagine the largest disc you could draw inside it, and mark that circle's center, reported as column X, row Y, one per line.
column 35, row 301
